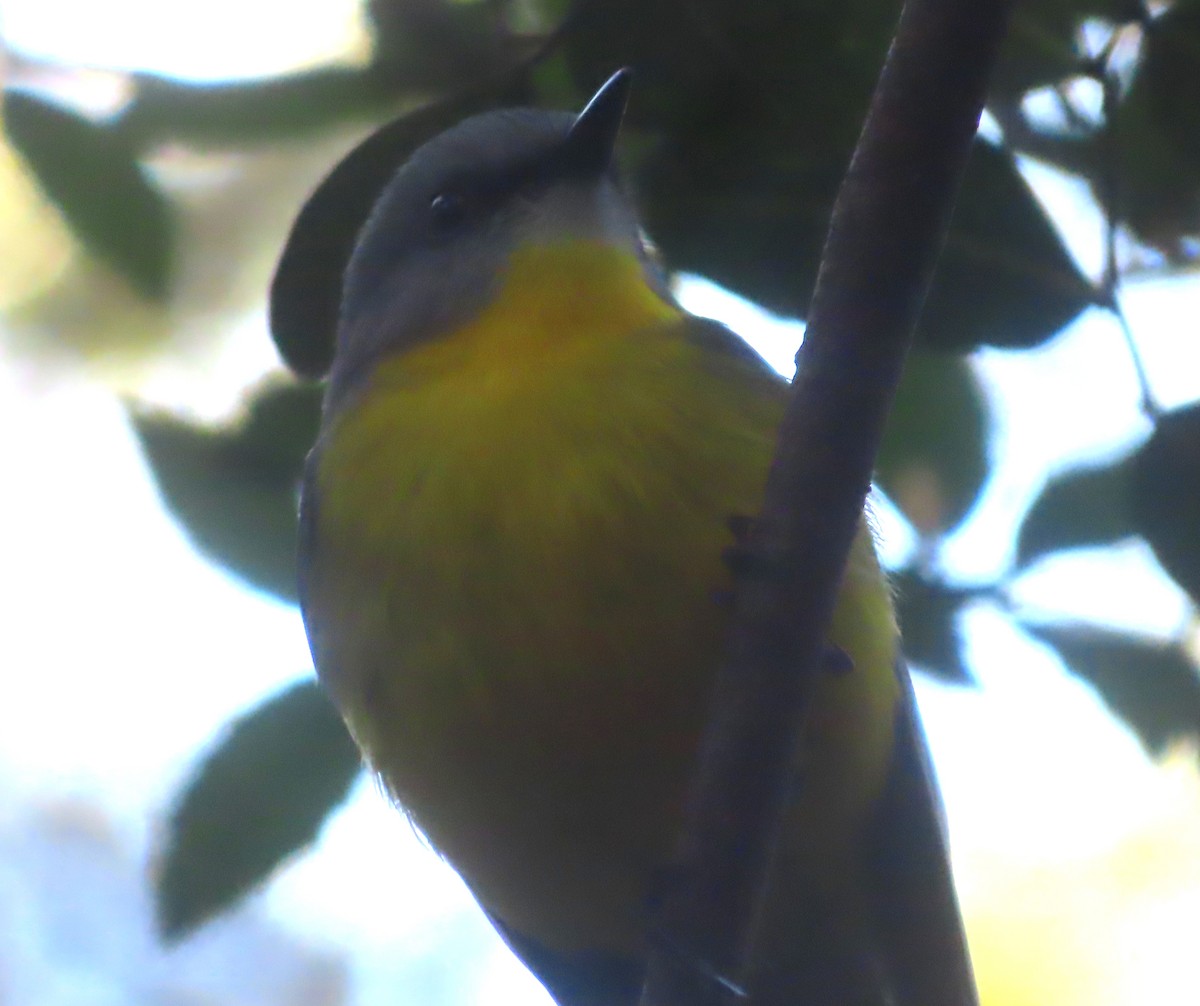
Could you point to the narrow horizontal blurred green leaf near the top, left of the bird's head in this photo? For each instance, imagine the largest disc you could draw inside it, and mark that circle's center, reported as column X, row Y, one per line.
column 251, row 113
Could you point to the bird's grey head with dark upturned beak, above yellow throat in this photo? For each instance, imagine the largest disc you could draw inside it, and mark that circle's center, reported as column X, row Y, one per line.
column 434, row 249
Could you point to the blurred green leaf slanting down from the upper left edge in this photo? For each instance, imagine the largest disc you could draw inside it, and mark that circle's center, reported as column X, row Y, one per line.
column 93, row 176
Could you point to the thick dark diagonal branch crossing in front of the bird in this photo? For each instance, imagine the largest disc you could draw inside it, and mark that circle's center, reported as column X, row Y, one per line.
column 887, row 230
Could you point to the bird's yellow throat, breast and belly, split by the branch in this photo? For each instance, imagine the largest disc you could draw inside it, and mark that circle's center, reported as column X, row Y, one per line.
column 514, row 596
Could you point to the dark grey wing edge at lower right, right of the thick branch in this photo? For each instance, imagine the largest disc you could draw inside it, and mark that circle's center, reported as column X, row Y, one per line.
column 919, row 926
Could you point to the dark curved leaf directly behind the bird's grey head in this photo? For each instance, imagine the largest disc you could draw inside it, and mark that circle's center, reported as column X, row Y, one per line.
column 307, row 292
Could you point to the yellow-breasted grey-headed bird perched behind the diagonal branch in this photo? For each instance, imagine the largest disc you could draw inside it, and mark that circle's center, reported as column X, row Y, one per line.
column 515, row 554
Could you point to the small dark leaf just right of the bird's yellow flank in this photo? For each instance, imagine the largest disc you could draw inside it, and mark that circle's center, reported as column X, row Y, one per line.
column 928, row 613
